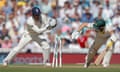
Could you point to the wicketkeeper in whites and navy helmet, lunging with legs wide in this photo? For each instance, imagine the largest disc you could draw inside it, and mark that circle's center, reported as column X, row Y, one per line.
column 37, row 26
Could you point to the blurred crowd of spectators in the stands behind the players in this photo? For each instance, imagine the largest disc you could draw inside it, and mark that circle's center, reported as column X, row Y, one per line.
column 69, row 14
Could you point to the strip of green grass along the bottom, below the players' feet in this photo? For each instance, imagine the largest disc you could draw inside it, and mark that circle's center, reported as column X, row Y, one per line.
column 65, row 68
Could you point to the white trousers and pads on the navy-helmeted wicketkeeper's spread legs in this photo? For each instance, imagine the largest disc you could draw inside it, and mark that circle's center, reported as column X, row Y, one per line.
column 26, row 38
